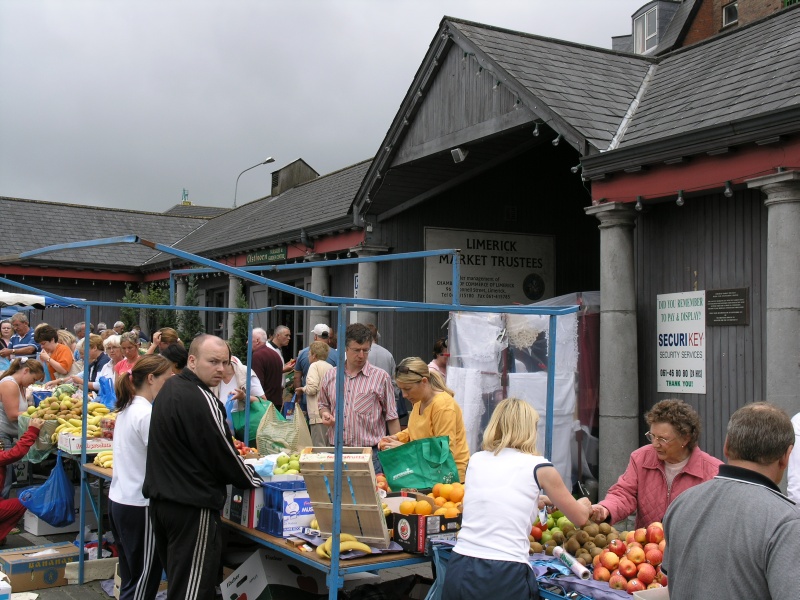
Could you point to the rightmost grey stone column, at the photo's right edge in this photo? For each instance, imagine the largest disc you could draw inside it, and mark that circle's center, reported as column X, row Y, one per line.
column 782, row 192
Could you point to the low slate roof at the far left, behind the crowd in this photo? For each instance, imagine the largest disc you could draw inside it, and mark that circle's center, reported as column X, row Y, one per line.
column 31, row 224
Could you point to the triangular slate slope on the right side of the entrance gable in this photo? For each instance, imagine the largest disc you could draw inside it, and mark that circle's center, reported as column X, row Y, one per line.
column 590, row 88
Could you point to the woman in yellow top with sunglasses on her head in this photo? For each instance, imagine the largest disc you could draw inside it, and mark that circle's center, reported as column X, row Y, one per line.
column 434, row 411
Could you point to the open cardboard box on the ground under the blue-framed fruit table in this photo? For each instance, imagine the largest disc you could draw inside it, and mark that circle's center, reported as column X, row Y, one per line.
column 266, row 570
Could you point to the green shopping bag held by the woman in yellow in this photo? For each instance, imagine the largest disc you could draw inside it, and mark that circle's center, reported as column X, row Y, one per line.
column 419, row 464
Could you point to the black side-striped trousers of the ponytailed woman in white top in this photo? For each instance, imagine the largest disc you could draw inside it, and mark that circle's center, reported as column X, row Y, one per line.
column 139, row 565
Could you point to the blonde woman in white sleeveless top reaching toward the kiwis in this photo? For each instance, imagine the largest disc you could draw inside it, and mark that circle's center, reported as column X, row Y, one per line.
column 501, row 501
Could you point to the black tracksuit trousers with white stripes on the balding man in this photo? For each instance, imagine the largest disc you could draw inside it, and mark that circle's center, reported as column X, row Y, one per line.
column 189, row 543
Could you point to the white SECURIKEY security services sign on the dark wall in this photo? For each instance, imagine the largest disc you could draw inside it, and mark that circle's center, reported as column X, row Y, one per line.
column 681, row 328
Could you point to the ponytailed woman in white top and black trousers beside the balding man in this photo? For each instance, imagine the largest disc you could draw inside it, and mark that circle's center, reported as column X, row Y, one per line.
column 139, row 565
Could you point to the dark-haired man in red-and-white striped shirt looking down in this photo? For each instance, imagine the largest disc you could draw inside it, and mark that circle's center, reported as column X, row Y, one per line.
column 369, row 406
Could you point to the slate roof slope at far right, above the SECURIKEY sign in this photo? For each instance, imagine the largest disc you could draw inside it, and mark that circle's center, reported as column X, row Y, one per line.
column 747, row 72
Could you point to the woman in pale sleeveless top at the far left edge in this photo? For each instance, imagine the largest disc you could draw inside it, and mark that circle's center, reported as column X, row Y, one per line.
column 13, row 382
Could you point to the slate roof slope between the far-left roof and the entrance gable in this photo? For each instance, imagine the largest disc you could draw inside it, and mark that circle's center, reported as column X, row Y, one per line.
column 316, row 206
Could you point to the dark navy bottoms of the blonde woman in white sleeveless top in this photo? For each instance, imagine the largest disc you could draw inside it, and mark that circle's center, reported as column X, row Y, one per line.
column 469, row 578
